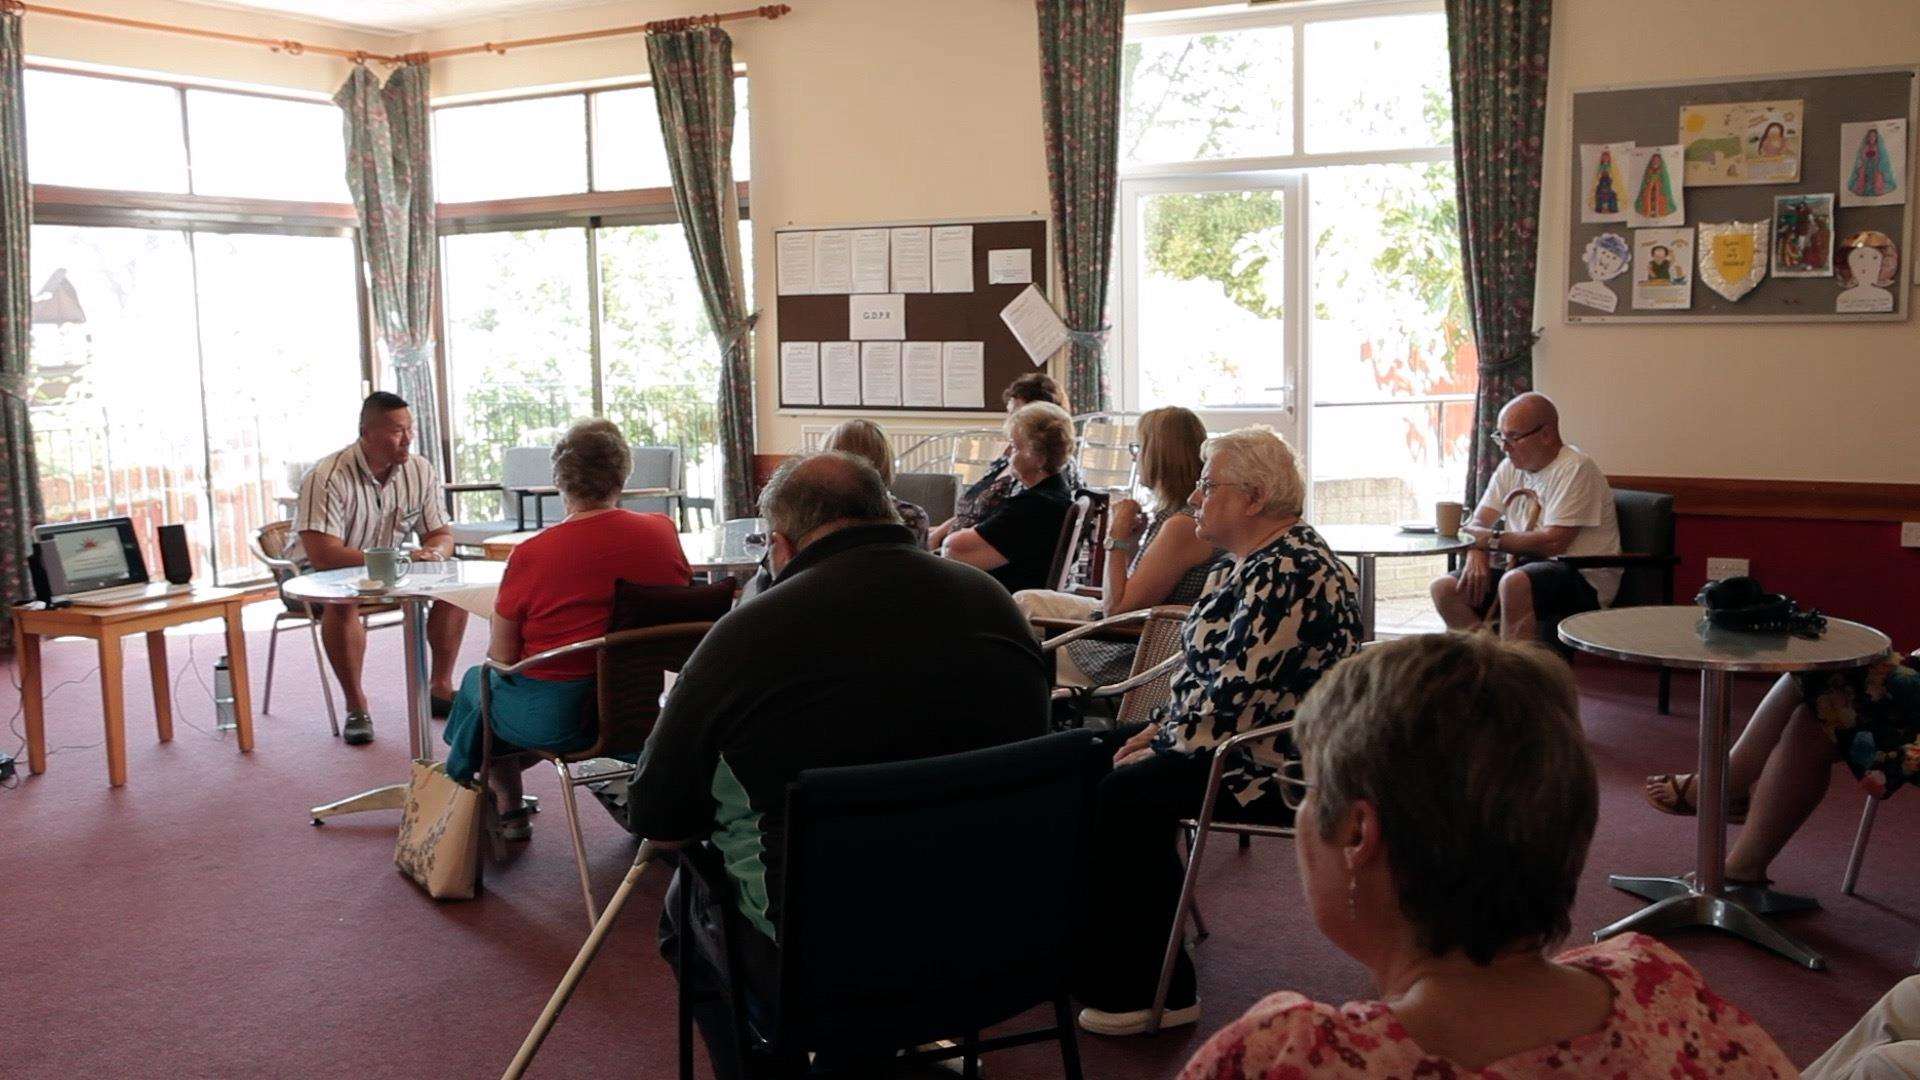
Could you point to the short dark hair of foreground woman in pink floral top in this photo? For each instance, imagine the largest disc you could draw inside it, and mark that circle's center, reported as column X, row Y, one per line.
column 1472, row 754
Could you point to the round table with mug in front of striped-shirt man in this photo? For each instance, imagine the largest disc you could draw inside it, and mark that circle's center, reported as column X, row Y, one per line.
column 416, row 593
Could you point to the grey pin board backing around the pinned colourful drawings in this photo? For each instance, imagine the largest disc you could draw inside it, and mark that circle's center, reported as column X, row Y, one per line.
column 1650, row 116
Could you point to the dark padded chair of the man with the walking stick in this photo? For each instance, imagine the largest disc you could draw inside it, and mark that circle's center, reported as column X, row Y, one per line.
column 924, row 900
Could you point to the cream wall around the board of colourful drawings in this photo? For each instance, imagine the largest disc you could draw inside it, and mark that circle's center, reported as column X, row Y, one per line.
column 1806, row 403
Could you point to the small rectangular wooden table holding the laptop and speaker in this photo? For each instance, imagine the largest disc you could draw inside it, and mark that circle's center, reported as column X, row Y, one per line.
column 108, row 626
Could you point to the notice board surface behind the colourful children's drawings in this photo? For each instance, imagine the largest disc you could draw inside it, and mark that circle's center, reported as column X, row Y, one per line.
column 1836, row 107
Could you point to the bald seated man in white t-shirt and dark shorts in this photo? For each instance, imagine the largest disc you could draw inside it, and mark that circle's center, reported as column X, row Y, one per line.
column 1545, row 501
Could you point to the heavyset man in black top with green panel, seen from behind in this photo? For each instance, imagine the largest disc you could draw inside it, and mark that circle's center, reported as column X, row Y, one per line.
column 867, row 649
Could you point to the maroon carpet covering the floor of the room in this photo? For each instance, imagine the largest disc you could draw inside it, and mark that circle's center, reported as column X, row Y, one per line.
column 195, row 925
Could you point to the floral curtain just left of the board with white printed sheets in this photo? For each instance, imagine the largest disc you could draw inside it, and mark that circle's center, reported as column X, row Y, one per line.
column 694, row 89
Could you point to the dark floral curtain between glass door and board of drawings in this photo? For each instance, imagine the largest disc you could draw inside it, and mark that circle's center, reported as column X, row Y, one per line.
column 1500, row 107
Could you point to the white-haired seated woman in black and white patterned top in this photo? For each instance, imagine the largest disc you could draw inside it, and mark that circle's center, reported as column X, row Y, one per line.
column 1274, row 622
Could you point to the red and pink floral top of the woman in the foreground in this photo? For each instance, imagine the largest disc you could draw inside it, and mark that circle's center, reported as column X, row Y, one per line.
column 1664, row 1023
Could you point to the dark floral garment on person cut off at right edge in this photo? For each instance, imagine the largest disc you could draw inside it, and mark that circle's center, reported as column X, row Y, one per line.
column 1873, row 714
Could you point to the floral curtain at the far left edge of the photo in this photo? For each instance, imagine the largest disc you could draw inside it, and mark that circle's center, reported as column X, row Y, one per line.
column 20, row 483
